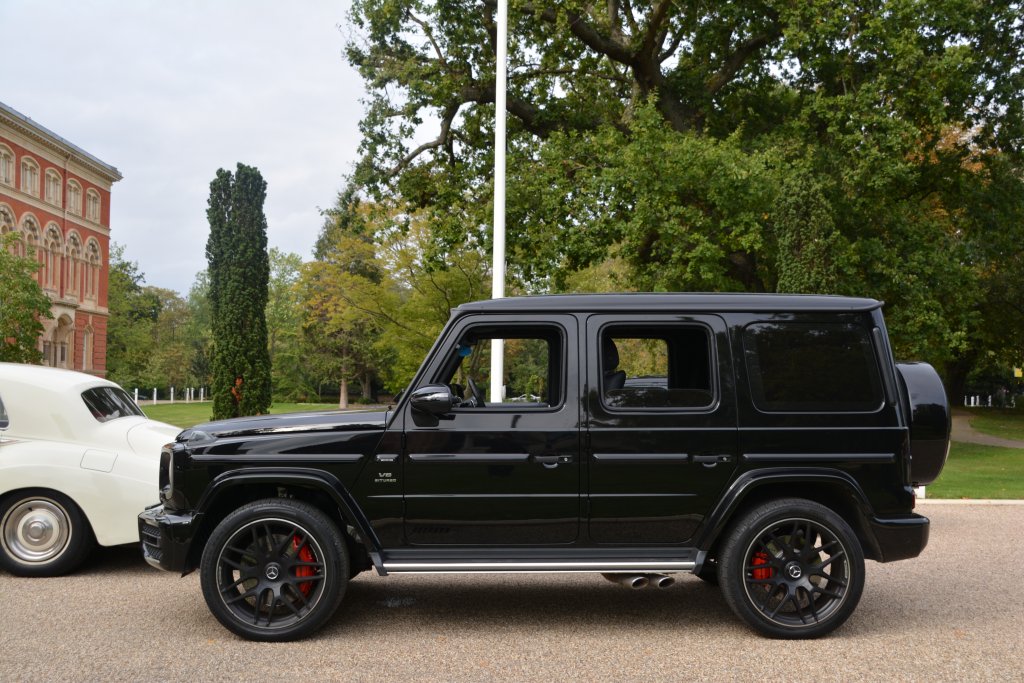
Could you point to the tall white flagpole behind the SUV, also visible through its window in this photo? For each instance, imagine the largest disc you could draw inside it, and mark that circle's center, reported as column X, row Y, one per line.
column 498, row 270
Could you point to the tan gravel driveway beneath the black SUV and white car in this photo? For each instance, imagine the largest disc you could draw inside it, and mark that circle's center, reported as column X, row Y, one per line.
column 955, row 614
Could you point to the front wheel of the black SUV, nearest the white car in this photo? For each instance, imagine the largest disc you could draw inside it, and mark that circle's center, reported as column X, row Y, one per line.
column 275, row 571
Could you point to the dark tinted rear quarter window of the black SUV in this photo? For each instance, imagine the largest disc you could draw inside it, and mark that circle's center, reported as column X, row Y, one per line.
column 805, row 368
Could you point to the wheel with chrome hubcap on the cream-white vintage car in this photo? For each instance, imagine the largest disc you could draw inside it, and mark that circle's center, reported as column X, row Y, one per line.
column 42, row 534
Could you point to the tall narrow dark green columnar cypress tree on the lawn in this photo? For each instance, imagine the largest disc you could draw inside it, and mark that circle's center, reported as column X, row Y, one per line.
column 239, row 275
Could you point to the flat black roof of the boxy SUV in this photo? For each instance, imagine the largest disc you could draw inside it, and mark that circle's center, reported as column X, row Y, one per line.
column 633, row 303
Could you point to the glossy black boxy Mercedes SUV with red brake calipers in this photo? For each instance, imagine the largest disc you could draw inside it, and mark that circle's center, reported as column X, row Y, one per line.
column 769, row 444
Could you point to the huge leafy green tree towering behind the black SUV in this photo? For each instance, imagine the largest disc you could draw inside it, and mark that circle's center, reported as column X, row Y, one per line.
column 847, row 148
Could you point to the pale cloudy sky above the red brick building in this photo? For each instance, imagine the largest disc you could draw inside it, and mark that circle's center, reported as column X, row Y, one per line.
column 169, row 92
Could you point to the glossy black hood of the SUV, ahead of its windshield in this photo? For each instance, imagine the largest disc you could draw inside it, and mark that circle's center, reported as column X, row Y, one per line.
column 293, row 422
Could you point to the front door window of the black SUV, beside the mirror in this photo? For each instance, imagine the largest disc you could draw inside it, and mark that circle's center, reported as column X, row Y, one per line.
column 534, row 366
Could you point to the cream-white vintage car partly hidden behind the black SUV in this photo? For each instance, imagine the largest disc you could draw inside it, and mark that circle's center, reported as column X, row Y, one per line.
column 78, row 463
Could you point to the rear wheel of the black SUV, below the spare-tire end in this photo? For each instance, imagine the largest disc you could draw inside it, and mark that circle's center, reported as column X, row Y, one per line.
column 792, row 569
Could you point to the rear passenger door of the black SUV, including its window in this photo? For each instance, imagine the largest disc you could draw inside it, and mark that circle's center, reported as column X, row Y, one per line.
column 662, row 425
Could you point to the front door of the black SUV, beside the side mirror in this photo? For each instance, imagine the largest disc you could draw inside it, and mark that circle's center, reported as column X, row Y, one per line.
column 498, row 473
